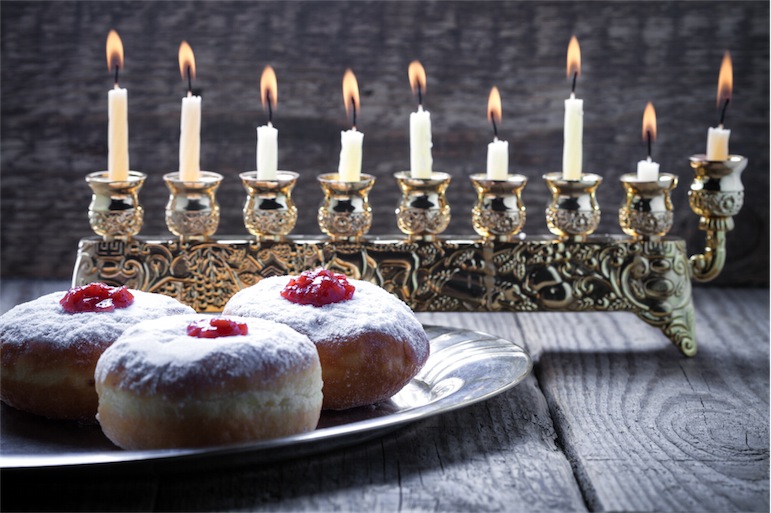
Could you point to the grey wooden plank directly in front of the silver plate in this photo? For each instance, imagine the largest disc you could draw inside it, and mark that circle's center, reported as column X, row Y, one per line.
column 495, row 456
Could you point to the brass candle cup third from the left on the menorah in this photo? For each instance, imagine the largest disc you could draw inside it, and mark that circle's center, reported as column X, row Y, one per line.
column 269, row 212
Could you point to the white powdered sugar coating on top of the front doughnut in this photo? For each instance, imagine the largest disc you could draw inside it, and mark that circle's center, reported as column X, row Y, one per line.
column 158, row 356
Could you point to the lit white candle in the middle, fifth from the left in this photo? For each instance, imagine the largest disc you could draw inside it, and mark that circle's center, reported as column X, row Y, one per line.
column 420, row 126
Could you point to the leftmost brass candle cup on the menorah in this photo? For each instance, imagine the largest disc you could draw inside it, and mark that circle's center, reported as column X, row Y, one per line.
column 114, row 211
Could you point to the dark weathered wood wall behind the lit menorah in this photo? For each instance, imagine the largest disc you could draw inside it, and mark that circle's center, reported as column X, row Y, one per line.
column 55, row 79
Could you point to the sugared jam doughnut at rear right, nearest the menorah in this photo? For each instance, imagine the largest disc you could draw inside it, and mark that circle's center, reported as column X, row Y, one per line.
column 370, row 343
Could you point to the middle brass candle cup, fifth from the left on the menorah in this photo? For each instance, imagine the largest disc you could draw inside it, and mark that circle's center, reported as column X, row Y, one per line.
column 423, row 211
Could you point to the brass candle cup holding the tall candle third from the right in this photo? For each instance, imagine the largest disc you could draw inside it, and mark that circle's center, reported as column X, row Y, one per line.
column 573, row 212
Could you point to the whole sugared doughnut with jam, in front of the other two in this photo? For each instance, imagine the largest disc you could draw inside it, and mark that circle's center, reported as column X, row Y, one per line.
column 193, row 381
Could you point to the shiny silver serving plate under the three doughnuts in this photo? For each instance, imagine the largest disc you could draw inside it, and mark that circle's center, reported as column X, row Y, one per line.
column 465, row 367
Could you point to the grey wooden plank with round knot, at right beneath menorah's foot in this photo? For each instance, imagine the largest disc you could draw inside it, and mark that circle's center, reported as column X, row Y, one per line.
column 647, row 429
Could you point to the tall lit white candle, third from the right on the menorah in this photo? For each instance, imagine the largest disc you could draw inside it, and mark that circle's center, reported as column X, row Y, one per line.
column 572, row 151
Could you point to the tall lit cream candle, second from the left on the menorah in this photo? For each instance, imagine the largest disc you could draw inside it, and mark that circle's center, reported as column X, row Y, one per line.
column 190, row 121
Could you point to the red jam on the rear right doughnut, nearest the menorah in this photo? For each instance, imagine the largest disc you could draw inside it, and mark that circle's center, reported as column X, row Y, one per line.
column 318, row 288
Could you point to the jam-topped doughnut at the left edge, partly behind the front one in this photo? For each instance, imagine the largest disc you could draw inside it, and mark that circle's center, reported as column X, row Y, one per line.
column 49, row 346
